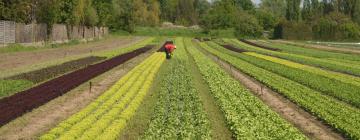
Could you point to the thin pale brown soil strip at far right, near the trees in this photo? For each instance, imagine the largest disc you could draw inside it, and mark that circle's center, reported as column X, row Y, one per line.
column 320, row 47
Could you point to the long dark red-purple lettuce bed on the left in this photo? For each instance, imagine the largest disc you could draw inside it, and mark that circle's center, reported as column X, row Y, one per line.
column 22, row 102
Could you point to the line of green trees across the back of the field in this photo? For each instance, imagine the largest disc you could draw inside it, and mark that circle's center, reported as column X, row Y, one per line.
column 291, row 19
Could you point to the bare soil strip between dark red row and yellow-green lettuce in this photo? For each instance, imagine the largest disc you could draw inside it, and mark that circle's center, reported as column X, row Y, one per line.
column 42, row 119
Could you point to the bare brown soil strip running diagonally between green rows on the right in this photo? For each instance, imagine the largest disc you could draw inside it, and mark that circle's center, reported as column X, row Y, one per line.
column 301, row 119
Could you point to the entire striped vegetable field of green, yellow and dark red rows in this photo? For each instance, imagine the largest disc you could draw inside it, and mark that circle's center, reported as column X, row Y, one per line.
column 162, row 99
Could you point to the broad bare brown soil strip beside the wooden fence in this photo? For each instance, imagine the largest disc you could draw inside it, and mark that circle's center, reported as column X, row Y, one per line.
column 22, row 59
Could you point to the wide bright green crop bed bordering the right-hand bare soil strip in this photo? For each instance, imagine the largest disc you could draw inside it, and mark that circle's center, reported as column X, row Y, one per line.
column 247, row 116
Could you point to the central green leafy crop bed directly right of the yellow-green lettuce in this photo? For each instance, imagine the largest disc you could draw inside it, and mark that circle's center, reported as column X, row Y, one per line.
column 179, row 113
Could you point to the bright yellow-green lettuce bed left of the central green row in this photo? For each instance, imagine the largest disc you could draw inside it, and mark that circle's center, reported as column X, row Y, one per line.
column 107, row 115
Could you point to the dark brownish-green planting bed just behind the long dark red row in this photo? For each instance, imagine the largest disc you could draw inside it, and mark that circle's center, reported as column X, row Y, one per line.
column 41, row 75
